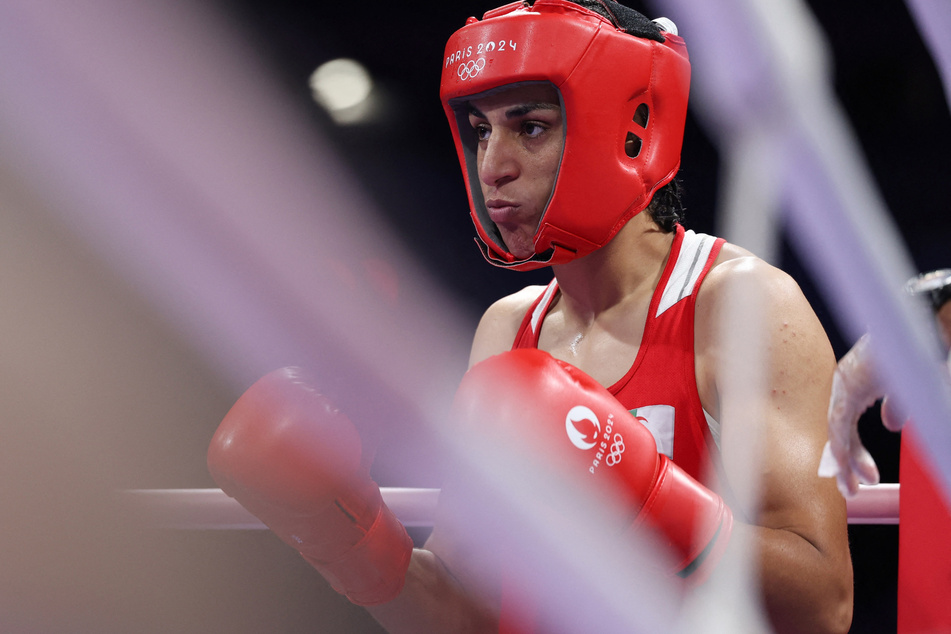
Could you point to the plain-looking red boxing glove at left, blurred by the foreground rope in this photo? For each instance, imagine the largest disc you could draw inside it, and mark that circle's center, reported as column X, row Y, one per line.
column 293, row 460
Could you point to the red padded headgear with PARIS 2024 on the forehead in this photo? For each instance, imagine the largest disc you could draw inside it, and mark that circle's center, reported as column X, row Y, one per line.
column 624, row 100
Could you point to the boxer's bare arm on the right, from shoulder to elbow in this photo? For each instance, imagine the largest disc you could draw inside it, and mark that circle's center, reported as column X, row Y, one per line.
column 800, row 526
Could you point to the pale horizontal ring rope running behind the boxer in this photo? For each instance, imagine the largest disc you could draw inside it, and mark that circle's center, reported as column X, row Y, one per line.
column 211, row 509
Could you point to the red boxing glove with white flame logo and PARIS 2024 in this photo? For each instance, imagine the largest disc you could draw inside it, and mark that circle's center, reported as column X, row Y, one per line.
column 576, row 424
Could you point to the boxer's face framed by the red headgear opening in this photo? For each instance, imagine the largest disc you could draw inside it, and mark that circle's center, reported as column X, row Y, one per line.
column 521, row 138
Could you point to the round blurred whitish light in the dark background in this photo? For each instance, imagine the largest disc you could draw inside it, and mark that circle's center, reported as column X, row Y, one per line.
column 344, row 88
